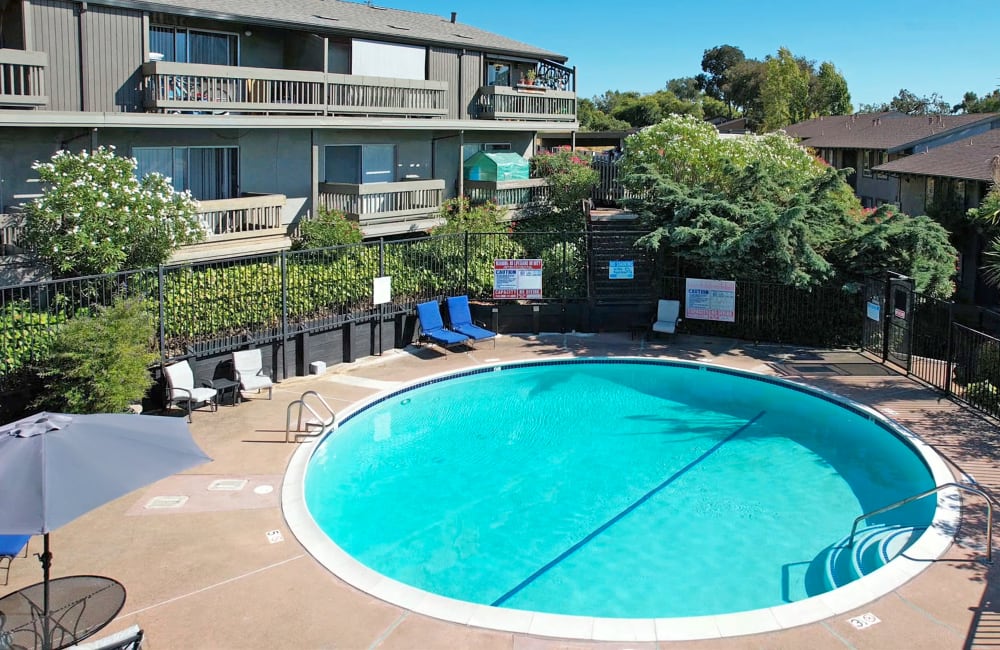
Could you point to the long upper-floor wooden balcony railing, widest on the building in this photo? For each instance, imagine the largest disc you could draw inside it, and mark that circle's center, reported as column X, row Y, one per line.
column 200, row 88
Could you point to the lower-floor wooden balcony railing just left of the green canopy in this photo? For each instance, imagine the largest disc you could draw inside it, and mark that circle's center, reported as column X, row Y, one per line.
column 375, row 203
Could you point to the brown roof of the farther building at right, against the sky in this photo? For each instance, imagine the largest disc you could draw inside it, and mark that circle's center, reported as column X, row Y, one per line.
column 878, row 130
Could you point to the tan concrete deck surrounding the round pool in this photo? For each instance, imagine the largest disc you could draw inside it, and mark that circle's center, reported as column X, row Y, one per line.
column 222, row 570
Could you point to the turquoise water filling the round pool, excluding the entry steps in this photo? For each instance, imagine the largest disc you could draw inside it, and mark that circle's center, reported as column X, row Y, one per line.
column 613, row 489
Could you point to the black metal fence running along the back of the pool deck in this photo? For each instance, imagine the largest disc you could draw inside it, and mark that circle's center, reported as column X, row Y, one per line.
column 212, row 308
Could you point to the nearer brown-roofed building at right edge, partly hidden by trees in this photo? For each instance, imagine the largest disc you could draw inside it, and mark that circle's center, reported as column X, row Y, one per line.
column 945, row 182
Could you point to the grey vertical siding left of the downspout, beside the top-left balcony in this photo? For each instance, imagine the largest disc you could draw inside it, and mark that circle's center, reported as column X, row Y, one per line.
column 55, row 30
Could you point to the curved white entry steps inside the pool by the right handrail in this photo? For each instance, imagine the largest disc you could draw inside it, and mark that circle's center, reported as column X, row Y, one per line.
column 873, row 548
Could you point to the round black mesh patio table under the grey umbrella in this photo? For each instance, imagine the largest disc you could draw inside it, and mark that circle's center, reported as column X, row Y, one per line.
column 79, row 606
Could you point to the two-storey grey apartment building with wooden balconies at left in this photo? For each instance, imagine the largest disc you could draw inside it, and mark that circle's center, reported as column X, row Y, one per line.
column 266, row 110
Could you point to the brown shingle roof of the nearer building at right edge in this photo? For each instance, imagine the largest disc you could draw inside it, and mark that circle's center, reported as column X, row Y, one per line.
column 969, row 159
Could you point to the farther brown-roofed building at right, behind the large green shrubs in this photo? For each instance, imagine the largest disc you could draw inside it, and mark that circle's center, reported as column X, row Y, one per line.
column 865, row 141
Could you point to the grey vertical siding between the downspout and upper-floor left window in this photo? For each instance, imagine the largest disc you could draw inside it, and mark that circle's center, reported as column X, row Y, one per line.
column 113, row 56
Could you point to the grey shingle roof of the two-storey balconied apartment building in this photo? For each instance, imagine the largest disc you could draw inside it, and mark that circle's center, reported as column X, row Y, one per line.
column 347, row 18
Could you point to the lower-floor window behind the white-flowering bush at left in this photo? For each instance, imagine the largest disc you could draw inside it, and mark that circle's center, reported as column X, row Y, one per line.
column 208, row 172
